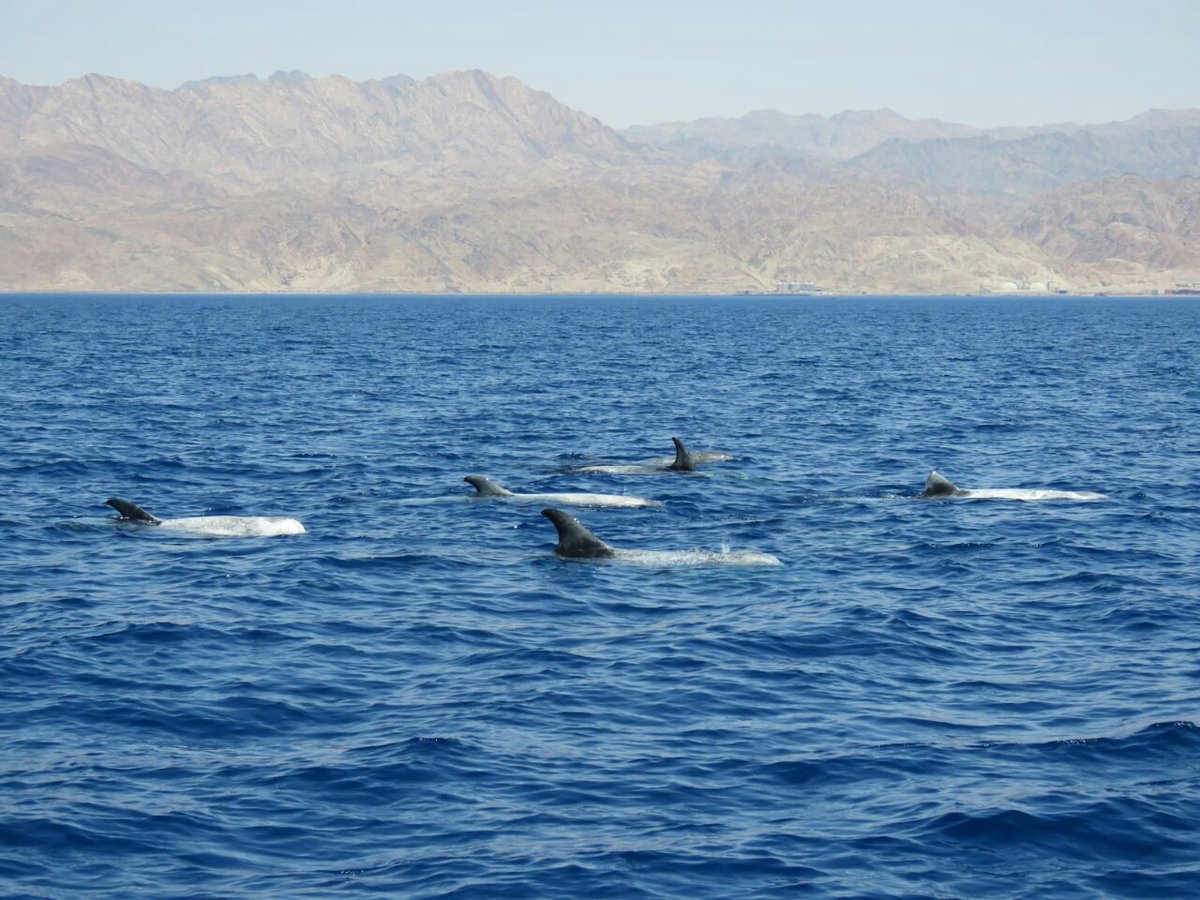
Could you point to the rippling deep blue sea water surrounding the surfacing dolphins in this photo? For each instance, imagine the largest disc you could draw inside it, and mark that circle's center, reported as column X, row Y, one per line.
column 417, row 698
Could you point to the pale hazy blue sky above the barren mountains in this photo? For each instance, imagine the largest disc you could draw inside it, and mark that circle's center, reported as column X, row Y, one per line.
column 629, row 63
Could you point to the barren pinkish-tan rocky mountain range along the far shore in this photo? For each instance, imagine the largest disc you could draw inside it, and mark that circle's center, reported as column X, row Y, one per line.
column 469, row 183
